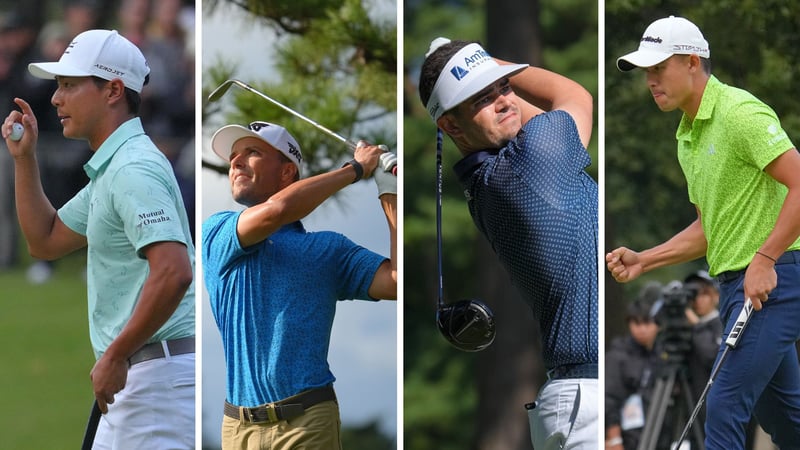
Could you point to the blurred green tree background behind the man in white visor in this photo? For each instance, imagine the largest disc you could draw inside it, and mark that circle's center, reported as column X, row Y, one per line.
column 454, row 400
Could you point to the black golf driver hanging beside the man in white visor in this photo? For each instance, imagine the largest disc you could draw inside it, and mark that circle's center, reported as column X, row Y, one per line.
column 467, row 324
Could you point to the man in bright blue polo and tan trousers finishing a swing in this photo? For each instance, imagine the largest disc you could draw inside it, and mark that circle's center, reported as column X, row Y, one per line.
column 273, row 286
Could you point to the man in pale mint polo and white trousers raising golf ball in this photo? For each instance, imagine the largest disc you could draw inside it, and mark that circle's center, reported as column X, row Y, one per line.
column 140, row 256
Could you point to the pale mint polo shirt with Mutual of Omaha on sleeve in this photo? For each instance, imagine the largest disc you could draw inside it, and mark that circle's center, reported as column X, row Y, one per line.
column 132, row 200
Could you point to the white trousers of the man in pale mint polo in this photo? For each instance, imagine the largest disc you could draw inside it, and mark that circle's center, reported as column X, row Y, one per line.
column 155, row 410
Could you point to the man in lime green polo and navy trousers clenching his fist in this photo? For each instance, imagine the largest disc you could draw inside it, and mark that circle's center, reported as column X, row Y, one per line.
column 742, row 174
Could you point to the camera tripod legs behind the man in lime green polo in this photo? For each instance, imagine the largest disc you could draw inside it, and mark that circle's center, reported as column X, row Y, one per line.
column 667, row 394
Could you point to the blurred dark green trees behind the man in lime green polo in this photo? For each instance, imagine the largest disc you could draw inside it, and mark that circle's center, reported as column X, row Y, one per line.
column 754, row 46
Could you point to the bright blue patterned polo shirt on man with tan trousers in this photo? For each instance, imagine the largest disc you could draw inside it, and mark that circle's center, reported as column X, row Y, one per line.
column 274, row 304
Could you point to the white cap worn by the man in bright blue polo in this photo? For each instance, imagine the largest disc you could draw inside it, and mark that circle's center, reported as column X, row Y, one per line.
column 275, row 135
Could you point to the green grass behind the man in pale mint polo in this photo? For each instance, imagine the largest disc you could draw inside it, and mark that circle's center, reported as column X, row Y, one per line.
column 45, row 358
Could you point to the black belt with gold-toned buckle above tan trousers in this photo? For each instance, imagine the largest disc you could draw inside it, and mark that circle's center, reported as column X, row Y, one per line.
column 285, row 409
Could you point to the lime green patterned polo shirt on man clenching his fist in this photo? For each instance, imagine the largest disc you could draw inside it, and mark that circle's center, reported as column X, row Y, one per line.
column 734, row 134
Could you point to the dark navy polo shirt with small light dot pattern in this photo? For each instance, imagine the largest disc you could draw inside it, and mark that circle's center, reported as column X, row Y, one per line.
column 537, row 206
